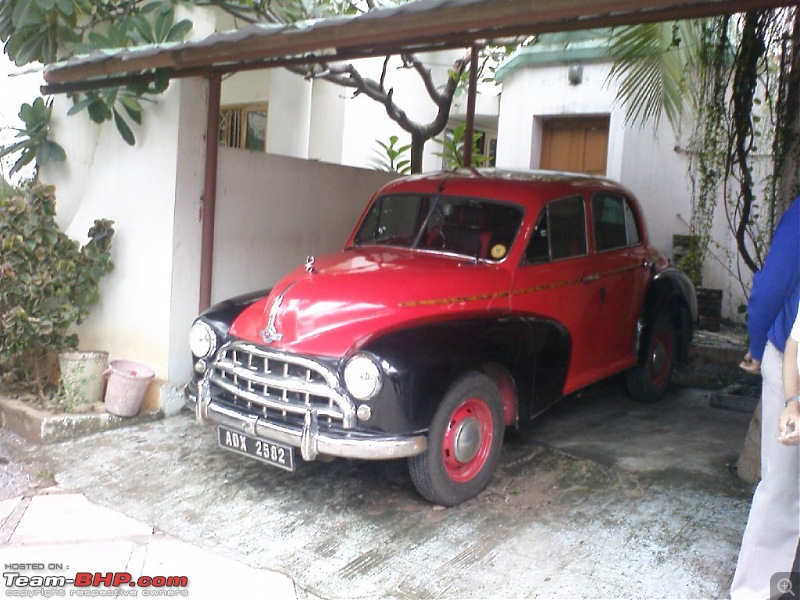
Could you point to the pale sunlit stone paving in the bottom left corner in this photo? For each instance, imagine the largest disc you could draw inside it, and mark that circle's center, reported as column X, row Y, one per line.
column 64, row 534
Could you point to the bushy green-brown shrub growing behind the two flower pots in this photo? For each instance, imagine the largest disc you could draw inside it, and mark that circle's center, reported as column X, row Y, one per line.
column 48, row 282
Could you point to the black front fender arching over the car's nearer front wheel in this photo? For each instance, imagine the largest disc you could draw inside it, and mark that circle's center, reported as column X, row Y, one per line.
column 527, row 356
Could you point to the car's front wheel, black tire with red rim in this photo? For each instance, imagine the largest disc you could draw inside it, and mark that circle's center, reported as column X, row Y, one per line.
column 464, row 443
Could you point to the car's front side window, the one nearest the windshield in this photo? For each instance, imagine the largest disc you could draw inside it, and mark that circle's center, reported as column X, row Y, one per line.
column 560, row 231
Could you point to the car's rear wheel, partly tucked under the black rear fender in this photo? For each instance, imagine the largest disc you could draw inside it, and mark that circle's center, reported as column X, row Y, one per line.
column 649, row 381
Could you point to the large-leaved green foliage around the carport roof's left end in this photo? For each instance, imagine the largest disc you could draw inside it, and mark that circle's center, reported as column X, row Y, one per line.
column 50, row 30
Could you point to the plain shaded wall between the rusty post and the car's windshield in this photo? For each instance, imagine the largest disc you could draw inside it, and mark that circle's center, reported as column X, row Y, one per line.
column 273, row 211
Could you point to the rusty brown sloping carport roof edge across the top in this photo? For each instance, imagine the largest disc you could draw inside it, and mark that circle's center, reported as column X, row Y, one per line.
column 418, row 26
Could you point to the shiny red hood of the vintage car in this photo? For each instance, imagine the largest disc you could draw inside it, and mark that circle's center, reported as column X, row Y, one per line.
column 353, row 295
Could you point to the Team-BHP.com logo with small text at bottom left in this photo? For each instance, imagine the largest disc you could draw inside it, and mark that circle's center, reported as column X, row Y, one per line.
column 115, row 584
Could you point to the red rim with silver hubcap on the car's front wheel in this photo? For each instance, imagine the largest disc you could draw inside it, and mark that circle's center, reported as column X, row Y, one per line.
column 467, row 440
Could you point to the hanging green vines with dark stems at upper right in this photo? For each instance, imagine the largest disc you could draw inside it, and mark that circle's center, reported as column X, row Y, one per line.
column 745, row 77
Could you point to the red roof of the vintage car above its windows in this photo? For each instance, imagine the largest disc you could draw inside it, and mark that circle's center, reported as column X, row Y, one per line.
column 529, row 188
